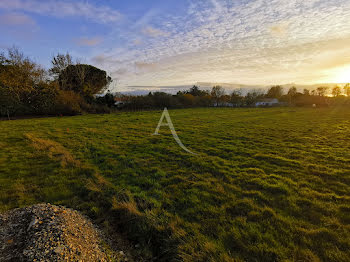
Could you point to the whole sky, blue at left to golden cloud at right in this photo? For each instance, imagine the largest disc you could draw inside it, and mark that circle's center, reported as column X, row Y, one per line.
column 182, row 42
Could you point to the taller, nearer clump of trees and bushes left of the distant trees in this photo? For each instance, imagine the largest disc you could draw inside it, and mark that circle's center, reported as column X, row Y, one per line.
column 67, row 88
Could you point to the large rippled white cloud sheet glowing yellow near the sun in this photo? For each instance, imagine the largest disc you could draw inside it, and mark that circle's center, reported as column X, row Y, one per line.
column 253, row 42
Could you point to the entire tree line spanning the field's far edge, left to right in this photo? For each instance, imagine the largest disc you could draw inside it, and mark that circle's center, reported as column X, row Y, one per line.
column 69, row 88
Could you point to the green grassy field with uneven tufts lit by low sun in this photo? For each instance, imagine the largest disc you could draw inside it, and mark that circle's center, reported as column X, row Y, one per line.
column 265, row 185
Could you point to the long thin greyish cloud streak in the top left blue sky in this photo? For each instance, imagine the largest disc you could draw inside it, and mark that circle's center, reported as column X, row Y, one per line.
column 68, row 8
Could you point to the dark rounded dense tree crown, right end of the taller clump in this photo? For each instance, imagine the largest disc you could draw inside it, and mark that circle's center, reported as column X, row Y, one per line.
column 86, row 80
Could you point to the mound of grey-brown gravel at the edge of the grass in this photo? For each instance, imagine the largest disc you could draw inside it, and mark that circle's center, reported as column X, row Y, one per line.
column 49, row 233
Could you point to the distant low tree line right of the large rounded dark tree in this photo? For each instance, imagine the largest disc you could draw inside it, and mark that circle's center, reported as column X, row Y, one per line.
column 217, row 96
